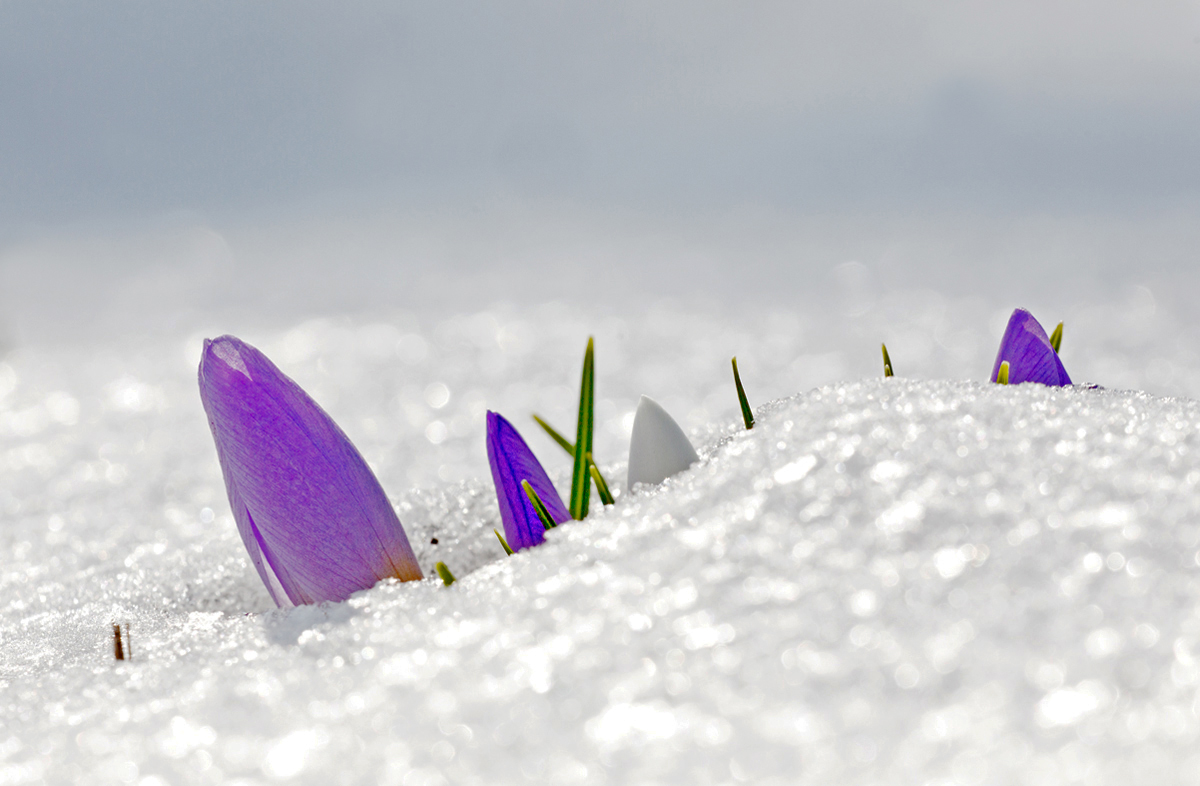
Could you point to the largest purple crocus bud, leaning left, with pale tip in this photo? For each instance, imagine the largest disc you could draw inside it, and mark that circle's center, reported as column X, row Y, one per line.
column 314, row 518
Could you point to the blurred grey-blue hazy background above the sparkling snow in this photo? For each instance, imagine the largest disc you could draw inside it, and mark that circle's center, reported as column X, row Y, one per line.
column 163, row 164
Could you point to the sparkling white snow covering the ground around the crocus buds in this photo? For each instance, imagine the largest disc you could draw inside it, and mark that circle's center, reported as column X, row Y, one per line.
column 919, row 581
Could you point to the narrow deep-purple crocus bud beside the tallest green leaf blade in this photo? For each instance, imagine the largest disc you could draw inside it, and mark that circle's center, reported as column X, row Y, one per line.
column 513, row 463
